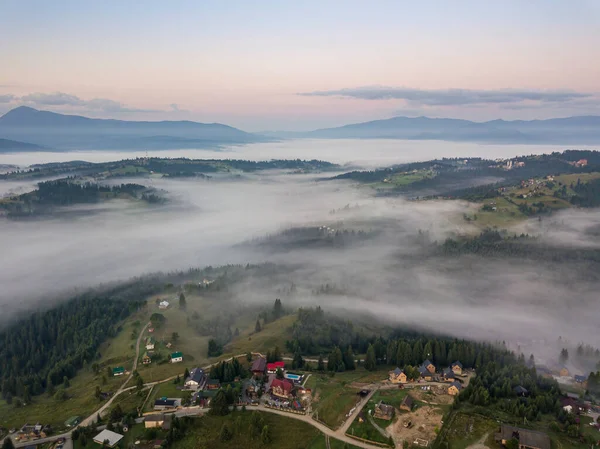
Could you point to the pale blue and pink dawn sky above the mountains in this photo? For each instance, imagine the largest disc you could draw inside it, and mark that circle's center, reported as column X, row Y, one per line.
column 280, row 65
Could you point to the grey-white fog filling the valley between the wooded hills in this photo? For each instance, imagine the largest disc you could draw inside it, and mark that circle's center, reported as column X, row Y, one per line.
column 216, row 221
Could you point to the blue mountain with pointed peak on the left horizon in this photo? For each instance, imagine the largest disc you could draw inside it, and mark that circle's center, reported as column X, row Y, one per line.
column 69, row 132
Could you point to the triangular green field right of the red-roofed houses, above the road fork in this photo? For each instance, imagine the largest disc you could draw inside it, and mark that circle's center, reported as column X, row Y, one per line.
column 334, row 397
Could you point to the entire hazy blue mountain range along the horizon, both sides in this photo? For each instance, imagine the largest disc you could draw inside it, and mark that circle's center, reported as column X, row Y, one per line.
column 71, row 132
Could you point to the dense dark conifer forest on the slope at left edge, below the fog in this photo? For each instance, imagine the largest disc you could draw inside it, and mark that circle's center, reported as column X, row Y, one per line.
column 37, row 353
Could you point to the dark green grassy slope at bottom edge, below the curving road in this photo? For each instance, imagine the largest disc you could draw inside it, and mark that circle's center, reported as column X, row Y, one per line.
column 286, row 433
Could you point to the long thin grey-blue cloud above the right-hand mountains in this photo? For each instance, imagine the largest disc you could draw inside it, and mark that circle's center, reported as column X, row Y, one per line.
column 455, row 97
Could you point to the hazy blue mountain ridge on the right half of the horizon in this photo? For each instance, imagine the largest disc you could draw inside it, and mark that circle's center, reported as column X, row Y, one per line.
column 570, row 130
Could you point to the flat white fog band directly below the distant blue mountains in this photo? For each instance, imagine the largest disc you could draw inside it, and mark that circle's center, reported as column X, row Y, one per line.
column 359, row 152
